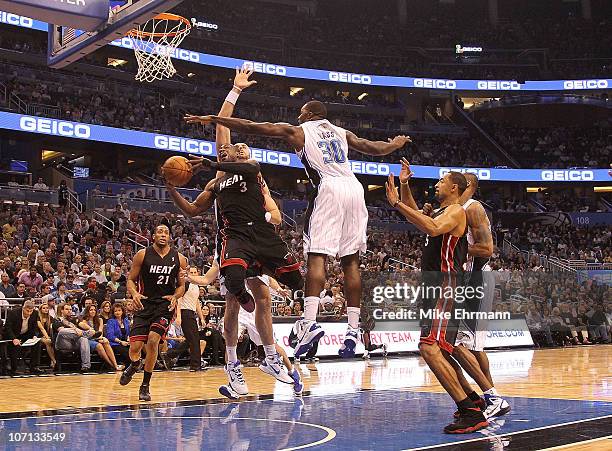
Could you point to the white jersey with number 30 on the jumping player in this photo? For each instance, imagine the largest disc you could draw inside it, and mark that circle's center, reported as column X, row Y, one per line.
column 325, row 152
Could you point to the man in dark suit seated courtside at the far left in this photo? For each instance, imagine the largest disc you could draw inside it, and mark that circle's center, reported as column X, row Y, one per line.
column 22, row 325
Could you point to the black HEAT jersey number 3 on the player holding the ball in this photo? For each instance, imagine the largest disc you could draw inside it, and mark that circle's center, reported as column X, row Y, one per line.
column 240, row 200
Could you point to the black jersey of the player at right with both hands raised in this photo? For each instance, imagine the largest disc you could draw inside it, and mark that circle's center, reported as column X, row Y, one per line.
column 444, row 253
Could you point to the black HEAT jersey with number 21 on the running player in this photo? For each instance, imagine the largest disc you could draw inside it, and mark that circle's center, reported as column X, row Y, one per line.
column 159, row 276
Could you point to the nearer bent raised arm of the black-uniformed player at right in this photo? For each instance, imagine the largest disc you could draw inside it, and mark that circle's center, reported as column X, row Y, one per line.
column 440, row 225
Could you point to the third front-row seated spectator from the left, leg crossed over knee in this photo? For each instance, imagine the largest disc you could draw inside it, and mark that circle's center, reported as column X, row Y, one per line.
column 68, row 337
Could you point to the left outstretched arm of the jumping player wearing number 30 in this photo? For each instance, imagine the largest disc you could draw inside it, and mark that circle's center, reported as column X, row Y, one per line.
column 292, row 134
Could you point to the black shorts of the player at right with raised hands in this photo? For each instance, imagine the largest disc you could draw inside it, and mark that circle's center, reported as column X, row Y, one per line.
column 436, row 302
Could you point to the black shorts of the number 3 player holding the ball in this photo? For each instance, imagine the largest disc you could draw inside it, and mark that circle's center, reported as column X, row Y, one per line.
column 256, row 246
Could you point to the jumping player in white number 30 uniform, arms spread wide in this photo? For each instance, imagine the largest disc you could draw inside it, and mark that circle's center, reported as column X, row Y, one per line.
column 336, row 218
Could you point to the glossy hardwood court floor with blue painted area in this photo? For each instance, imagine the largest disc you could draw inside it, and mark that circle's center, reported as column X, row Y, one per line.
column 545, row 387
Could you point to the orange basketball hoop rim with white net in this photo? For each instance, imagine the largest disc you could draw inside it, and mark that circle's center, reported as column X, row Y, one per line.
column 154, row 43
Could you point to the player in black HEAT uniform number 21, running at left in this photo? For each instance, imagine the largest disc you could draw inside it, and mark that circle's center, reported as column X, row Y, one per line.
column 155, row 282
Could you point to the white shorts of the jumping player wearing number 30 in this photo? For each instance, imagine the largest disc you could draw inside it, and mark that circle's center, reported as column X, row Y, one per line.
column 336, row 219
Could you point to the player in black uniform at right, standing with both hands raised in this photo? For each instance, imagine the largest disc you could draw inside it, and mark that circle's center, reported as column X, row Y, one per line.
column 444, row 253
